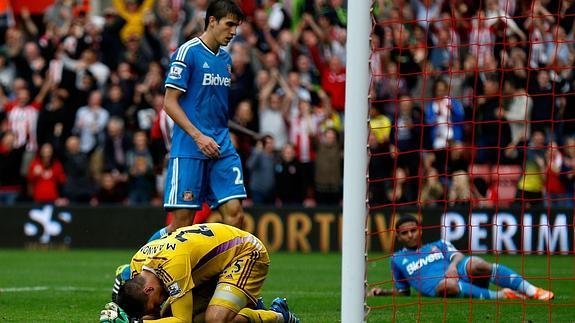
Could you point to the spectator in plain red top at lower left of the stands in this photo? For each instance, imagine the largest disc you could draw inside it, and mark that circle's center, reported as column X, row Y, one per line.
column 45, row 176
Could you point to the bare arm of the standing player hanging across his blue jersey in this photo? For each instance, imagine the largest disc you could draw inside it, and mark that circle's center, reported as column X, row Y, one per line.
column 173, row 108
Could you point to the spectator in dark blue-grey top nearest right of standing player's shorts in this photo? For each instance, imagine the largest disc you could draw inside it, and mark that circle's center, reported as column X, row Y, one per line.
column 261, row 165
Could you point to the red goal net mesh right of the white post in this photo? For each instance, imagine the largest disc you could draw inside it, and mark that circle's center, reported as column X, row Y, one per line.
column 472, row 130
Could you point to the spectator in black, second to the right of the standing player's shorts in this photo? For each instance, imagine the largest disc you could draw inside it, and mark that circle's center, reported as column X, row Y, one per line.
column 290, row 186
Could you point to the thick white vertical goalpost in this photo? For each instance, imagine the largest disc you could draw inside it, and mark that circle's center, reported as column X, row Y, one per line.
column 353, row 273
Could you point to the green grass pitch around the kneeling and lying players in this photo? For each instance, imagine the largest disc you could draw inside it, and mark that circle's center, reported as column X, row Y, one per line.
column 72, row 286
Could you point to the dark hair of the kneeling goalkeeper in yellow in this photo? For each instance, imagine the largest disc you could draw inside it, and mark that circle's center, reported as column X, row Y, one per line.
column 131, row 297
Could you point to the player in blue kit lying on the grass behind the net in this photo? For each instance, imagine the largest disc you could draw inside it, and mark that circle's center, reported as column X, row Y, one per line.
column 437, row 269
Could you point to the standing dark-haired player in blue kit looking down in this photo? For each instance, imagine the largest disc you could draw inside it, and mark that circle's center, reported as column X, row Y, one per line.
column 203, row 165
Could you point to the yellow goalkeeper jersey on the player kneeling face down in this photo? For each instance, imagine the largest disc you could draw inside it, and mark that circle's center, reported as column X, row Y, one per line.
column 193, row 255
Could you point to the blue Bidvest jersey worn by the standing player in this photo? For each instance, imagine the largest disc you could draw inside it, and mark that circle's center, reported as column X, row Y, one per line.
column 205, row 78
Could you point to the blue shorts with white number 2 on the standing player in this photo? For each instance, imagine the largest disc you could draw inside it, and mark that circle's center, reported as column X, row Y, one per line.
column 192, row 181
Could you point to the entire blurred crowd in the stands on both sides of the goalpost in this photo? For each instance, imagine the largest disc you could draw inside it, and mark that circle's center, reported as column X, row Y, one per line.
column 471, row 101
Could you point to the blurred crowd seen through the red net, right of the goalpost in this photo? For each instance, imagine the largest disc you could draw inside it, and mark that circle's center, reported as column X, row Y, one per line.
column 480, row 99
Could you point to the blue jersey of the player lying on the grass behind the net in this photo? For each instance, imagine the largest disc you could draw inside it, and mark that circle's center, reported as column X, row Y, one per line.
column 422, row 268
